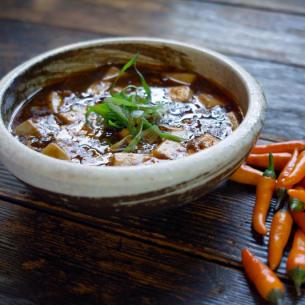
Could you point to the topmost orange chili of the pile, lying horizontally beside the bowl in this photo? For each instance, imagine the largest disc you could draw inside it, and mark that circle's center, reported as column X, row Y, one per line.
column 279, row 147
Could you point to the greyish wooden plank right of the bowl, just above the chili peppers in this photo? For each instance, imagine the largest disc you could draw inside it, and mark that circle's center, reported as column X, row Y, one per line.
column 284, row 88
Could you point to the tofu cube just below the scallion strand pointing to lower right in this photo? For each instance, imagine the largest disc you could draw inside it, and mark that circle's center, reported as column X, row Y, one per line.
column 170, row 150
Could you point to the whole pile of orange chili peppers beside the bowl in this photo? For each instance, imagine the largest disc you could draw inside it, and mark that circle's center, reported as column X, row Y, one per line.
column 289, row 158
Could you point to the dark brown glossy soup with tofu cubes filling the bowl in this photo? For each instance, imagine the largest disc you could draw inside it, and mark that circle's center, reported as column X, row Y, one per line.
column 192, row 110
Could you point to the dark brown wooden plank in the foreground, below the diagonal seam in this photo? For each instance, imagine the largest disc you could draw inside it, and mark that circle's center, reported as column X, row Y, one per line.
column 47, row 260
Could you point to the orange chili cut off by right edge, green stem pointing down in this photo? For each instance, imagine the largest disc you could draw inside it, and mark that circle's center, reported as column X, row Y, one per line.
column 296, row 260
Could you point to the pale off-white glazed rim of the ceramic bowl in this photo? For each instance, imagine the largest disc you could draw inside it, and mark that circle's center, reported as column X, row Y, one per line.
column 167, row 171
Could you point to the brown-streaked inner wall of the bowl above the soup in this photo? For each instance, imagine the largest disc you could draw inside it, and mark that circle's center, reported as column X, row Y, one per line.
column 52, row 68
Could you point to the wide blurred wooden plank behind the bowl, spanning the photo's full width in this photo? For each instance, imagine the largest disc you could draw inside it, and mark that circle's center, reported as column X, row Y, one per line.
column 230, row 29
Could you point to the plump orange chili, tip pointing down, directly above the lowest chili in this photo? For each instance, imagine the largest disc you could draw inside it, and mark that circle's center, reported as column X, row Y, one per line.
column 279, row 234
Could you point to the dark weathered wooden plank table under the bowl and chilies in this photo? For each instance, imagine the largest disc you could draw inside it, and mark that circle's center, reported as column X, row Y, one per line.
column 189, row 255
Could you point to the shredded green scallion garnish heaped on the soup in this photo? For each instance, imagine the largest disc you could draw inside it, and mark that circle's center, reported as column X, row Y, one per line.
column 132, row 112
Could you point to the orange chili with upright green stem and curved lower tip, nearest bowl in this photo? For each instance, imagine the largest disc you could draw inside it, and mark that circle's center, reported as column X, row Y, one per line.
column 264, row 192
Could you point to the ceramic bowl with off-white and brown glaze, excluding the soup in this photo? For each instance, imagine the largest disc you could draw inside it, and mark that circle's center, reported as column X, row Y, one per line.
column 129, row 190
